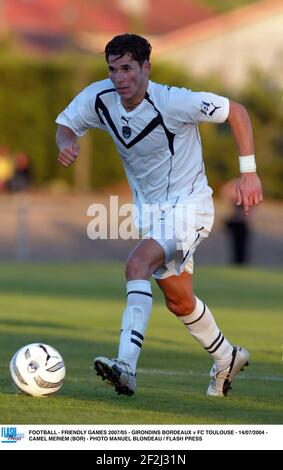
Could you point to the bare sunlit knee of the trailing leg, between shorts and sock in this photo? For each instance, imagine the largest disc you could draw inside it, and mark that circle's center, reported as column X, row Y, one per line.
column 178, row 293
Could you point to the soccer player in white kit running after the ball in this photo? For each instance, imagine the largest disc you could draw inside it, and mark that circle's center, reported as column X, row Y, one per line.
column 154, row 127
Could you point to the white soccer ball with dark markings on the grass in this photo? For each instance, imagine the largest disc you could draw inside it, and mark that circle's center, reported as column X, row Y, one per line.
column 37, row 369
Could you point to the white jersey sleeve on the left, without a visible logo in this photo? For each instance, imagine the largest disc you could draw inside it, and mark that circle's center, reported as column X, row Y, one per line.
column 80, row 114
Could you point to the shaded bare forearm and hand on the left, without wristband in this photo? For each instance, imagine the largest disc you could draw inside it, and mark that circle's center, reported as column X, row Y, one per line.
column 67, row 142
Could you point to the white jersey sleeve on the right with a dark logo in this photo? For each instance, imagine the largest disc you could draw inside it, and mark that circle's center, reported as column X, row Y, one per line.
column 188, row 106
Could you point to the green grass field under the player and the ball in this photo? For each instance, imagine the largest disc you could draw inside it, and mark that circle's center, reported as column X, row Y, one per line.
column 77, row 309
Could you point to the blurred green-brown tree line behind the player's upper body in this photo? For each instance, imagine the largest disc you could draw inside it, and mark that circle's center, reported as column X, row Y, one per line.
column 33, row 92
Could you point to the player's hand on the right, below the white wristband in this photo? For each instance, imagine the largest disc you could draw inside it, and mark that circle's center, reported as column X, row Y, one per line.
column 248, row 191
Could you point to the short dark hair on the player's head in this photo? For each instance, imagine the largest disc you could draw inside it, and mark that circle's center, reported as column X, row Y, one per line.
column 137, row 46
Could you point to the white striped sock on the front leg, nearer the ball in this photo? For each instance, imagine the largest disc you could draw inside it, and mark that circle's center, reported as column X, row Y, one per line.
column 134, row 321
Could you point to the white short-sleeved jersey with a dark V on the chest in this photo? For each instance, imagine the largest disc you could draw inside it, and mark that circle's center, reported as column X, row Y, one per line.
column 159, row 141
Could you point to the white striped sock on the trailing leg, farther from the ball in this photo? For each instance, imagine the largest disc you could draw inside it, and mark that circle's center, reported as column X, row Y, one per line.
column 203, row 328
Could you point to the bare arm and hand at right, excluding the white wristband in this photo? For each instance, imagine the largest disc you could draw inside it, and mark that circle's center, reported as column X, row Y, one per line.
column 248, row 190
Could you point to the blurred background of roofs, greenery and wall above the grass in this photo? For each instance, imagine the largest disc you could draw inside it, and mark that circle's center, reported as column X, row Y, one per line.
column 51, row 49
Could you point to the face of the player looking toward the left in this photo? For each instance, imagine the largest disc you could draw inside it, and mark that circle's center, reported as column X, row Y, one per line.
column 129, row 78
